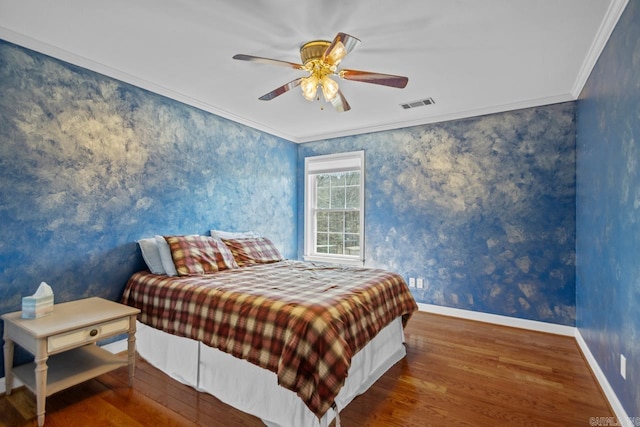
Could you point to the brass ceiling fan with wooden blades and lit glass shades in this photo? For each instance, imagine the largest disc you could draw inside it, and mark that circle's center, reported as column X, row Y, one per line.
column 320, row 59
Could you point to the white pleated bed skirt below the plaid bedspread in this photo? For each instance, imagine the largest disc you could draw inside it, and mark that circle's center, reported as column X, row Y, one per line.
column 255, row 390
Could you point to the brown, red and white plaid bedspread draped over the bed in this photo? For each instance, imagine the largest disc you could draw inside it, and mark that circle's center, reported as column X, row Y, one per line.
column 301, row 320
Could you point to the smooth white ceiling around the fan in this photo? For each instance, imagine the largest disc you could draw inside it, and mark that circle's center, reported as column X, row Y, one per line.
column 472, row 57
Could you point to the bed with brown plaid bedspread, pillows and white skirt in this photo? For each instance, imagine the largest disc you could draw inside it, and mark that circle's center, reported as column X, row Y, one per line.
column 291, row 342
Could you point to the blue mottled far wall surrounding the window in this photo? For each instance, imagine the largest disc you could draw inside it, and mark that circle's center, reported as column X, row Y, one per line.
column 482, row 209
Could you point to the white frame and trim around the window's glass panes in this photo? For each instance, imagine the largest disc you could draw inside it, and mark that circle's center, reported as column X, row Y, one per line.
column 330, row 163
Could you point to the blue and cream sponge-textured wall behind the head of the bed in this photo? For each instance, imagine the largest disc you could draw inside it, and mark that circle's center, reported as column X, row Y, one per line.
column 88, row 165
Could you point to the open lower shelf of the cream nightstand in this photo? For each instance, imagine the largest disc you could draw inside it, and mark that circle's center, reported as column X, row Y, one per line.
column 71, row 367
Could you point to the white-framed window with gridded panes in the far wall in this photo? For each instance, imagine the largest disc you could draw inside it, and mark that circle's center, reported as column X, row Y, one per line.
column 334, row 208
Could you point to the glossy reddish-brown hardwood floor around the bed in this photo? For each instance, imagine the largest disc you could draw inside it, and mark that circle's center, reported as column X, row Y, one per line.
column 456, row 373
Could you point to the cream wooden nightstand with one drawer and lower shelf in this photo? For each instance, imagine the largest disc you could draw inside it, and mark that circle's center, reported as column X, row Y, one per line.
column 63, row 344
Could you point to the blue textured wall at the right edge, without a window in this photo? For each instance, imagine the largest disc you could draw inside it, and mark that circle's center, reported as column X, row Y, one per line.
column 608, row 209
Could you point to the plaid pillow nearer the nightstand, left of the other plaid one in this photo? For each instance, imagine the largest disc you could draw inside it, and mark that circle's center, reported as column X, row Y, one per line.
column 194, row 255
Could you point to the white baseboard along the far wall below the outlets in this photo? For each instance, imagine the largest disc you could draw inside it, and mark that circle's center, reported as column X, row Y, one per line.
column 496, row 319
